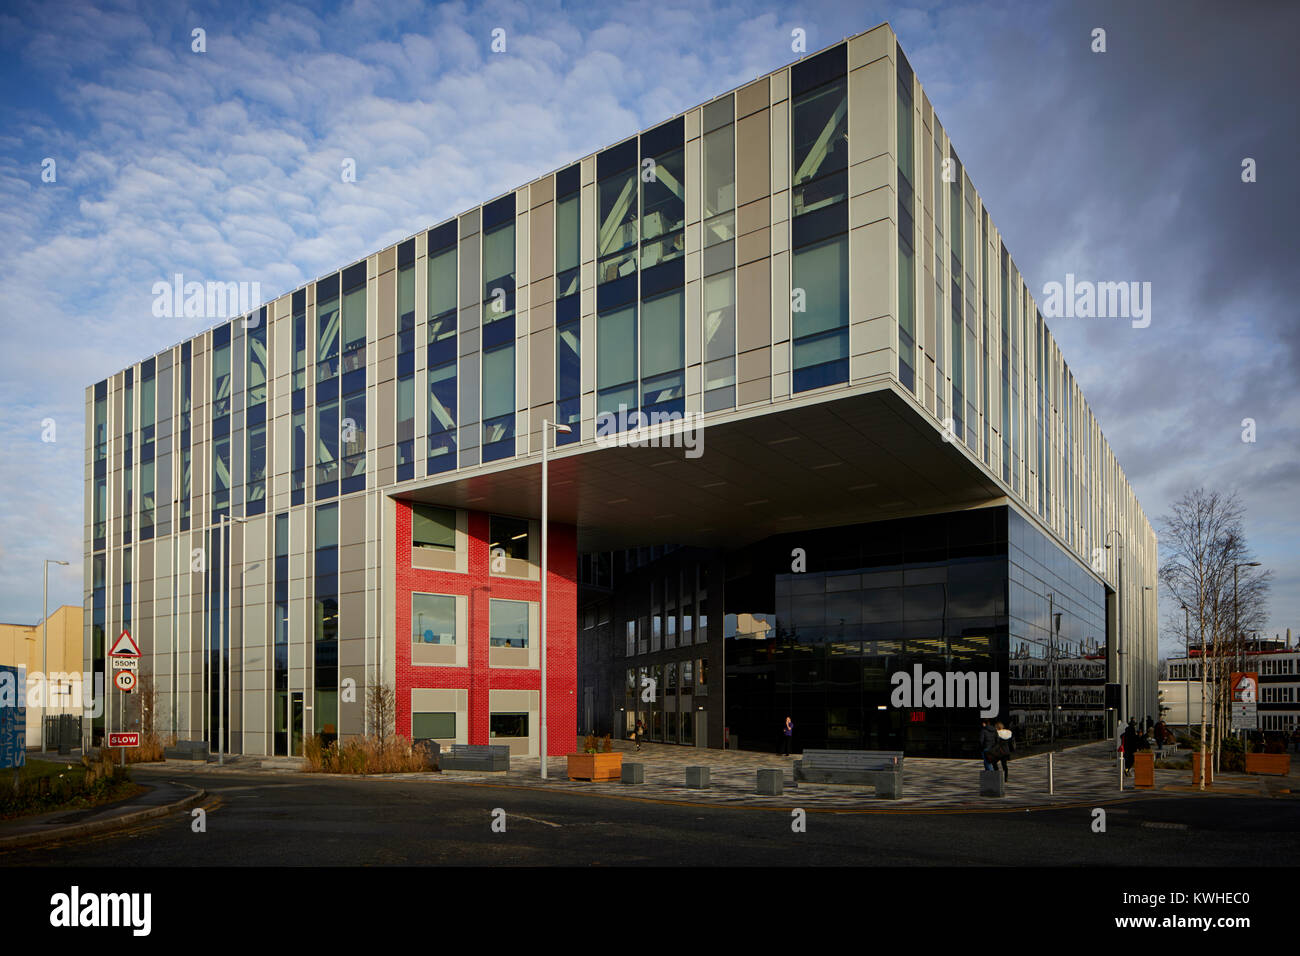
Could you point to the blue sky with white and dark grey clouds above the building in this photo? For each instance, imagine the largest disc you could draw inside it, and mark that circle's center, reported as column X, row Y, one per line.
column 1124, row 166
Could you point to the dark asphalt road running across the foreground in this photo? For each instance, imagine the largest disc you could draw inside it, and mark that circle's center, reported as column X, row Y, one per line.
column 257, row 820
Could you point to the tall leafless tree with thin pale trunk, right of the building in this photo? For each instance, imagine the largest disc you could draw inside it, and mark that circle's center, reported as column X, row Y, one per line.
column 1203, row 539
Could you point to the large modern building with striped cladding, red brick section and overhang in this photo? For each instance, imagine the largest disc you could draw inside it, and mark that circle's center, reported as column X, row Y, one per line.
column 801, row 279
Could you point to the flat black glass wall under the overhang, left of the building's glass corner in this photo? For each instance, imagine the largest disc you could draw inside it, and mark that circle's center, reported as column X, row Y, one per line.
column 821, row 621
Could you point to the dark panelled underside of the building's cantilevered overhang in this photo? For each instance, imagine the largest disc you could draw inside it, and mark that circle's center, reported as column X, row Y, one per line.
column 822, row 462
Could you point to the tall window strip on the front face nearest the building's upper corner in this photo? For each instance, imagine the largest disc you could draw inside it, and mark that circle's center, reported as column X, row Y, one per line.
column 820, row 132
